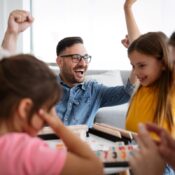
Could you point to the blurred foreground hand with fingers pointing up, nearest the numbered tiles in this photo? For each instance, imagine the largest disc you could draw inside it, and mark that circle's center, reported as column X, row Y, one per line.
column 147, row 160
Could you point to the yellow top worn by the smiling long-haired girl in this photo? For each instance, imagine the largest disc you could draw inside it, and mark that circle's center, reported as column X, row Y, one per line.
column 142, row 109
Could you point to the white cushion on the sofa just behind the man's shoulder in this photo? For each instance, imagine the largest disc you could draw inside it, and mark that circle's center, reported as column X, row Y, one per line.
column 109, row 78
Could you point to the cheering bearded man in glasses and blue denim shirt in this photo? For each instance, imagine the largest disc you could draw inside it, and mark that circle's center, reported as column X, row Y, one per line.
column 81, row 99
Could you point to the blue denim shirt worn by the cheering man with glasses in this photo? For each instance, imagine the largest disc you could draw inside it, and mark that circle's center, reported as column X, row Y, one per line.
column 80, row 103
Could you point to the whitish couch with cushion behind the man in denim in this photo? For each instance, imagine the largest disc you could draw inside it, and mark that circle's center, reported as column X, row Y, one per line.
column 114, row 116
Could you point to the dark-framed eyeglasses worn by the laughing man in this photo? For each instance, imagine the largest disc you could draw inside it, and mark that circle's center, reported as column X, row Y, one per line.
column 76, row 58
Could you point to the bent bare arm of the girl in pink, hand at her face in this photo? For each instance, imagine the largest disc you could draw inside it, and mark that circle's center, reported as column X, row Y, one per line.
column 80, row 159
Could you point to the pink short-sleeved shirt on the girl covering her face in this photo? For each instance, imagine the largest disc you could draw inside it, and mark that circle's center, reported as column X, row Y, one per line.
column 22, row 154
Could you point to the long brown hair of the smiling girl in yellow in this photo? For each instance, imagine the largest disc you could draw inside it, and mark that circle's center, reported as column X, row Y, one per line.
column 155, row 44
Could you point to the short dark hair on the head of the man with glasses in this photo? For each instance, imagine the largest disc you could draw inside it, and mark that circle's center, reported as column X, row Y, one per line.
column 67, row 42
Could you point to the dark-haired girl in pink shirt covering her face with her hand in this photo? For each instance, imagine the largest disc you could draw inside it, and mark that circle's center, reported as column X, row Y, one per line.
column 28, row 92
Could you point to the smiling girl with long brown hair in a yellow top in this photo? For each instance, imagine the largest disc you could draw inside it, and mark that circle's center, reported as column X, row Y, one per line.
column 154, row 100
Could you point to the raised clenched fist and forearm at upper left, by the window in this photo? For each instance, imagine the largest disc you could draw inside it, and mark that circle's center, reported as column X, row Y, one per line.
column 19, row 21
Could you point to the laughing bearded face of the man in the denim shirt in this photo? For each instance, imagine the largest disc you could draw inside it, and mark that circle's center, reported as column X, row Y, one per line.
column 72, row 72
